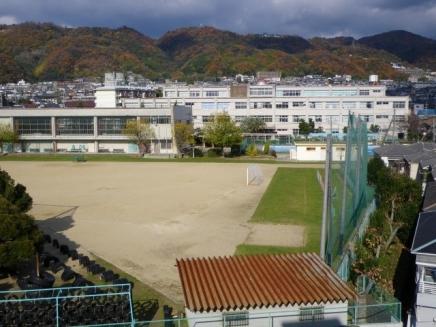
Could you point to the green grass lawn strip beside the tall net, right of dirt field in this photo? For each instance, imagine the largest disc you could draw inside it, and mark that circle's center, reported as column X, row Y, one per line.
column 293, row 196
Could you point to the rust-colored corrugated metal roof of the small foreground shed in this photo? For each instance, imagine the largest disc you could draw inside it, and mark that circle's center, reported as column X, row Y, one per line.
column 238, row 282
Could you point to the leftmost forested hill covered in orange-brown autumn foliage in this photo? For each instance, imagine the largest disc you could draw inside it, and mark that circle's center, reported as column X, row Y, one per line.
column 48, row 52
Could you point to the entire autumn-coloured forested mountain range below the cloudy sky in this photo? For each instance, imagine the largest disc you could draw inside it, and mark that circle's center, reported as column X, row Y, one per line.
column 43, row 51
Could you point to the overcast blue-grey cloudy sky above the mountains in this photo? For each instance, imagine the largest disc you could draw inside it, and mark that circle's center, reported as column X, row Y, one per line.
column 302, row 17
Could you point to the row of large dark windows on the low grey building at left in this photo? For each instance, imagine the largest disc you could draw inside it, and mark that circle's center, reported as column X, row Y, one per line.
column 80, row 125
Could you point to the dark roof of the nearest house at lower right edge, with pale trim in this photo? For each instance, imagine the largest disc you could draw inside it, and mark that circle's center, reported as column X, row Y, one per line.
column 424, row 240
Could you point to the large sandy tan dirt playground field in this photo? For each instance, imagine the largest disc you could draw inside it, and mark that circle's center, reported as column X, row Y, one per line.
column 142, row 216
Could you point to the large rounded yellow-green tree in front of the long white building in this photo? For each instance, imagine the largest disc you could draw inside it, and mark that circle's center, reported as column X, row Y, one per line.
column 222, row 131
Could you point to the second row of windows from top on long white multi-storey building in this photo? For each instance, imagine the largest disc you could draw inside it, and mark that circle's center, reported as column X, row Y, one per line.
column 299, row 104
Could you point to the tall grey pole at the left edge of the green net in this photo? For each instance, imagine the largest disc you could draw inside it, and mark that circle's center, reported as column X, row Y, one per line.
column 326, row 202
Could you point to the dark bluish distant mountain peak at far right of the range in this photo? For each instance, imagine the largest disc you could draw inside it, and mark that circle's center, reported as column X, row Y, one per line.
column 409, row 47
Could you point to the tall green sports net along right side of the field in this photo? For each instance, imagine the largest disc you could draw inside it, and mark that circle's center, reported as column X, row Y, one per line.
column 349, row 195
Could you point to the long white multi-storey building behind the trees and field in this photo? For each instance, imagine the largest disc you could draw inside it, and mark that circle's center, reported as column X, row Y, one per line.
column 281, row 106
